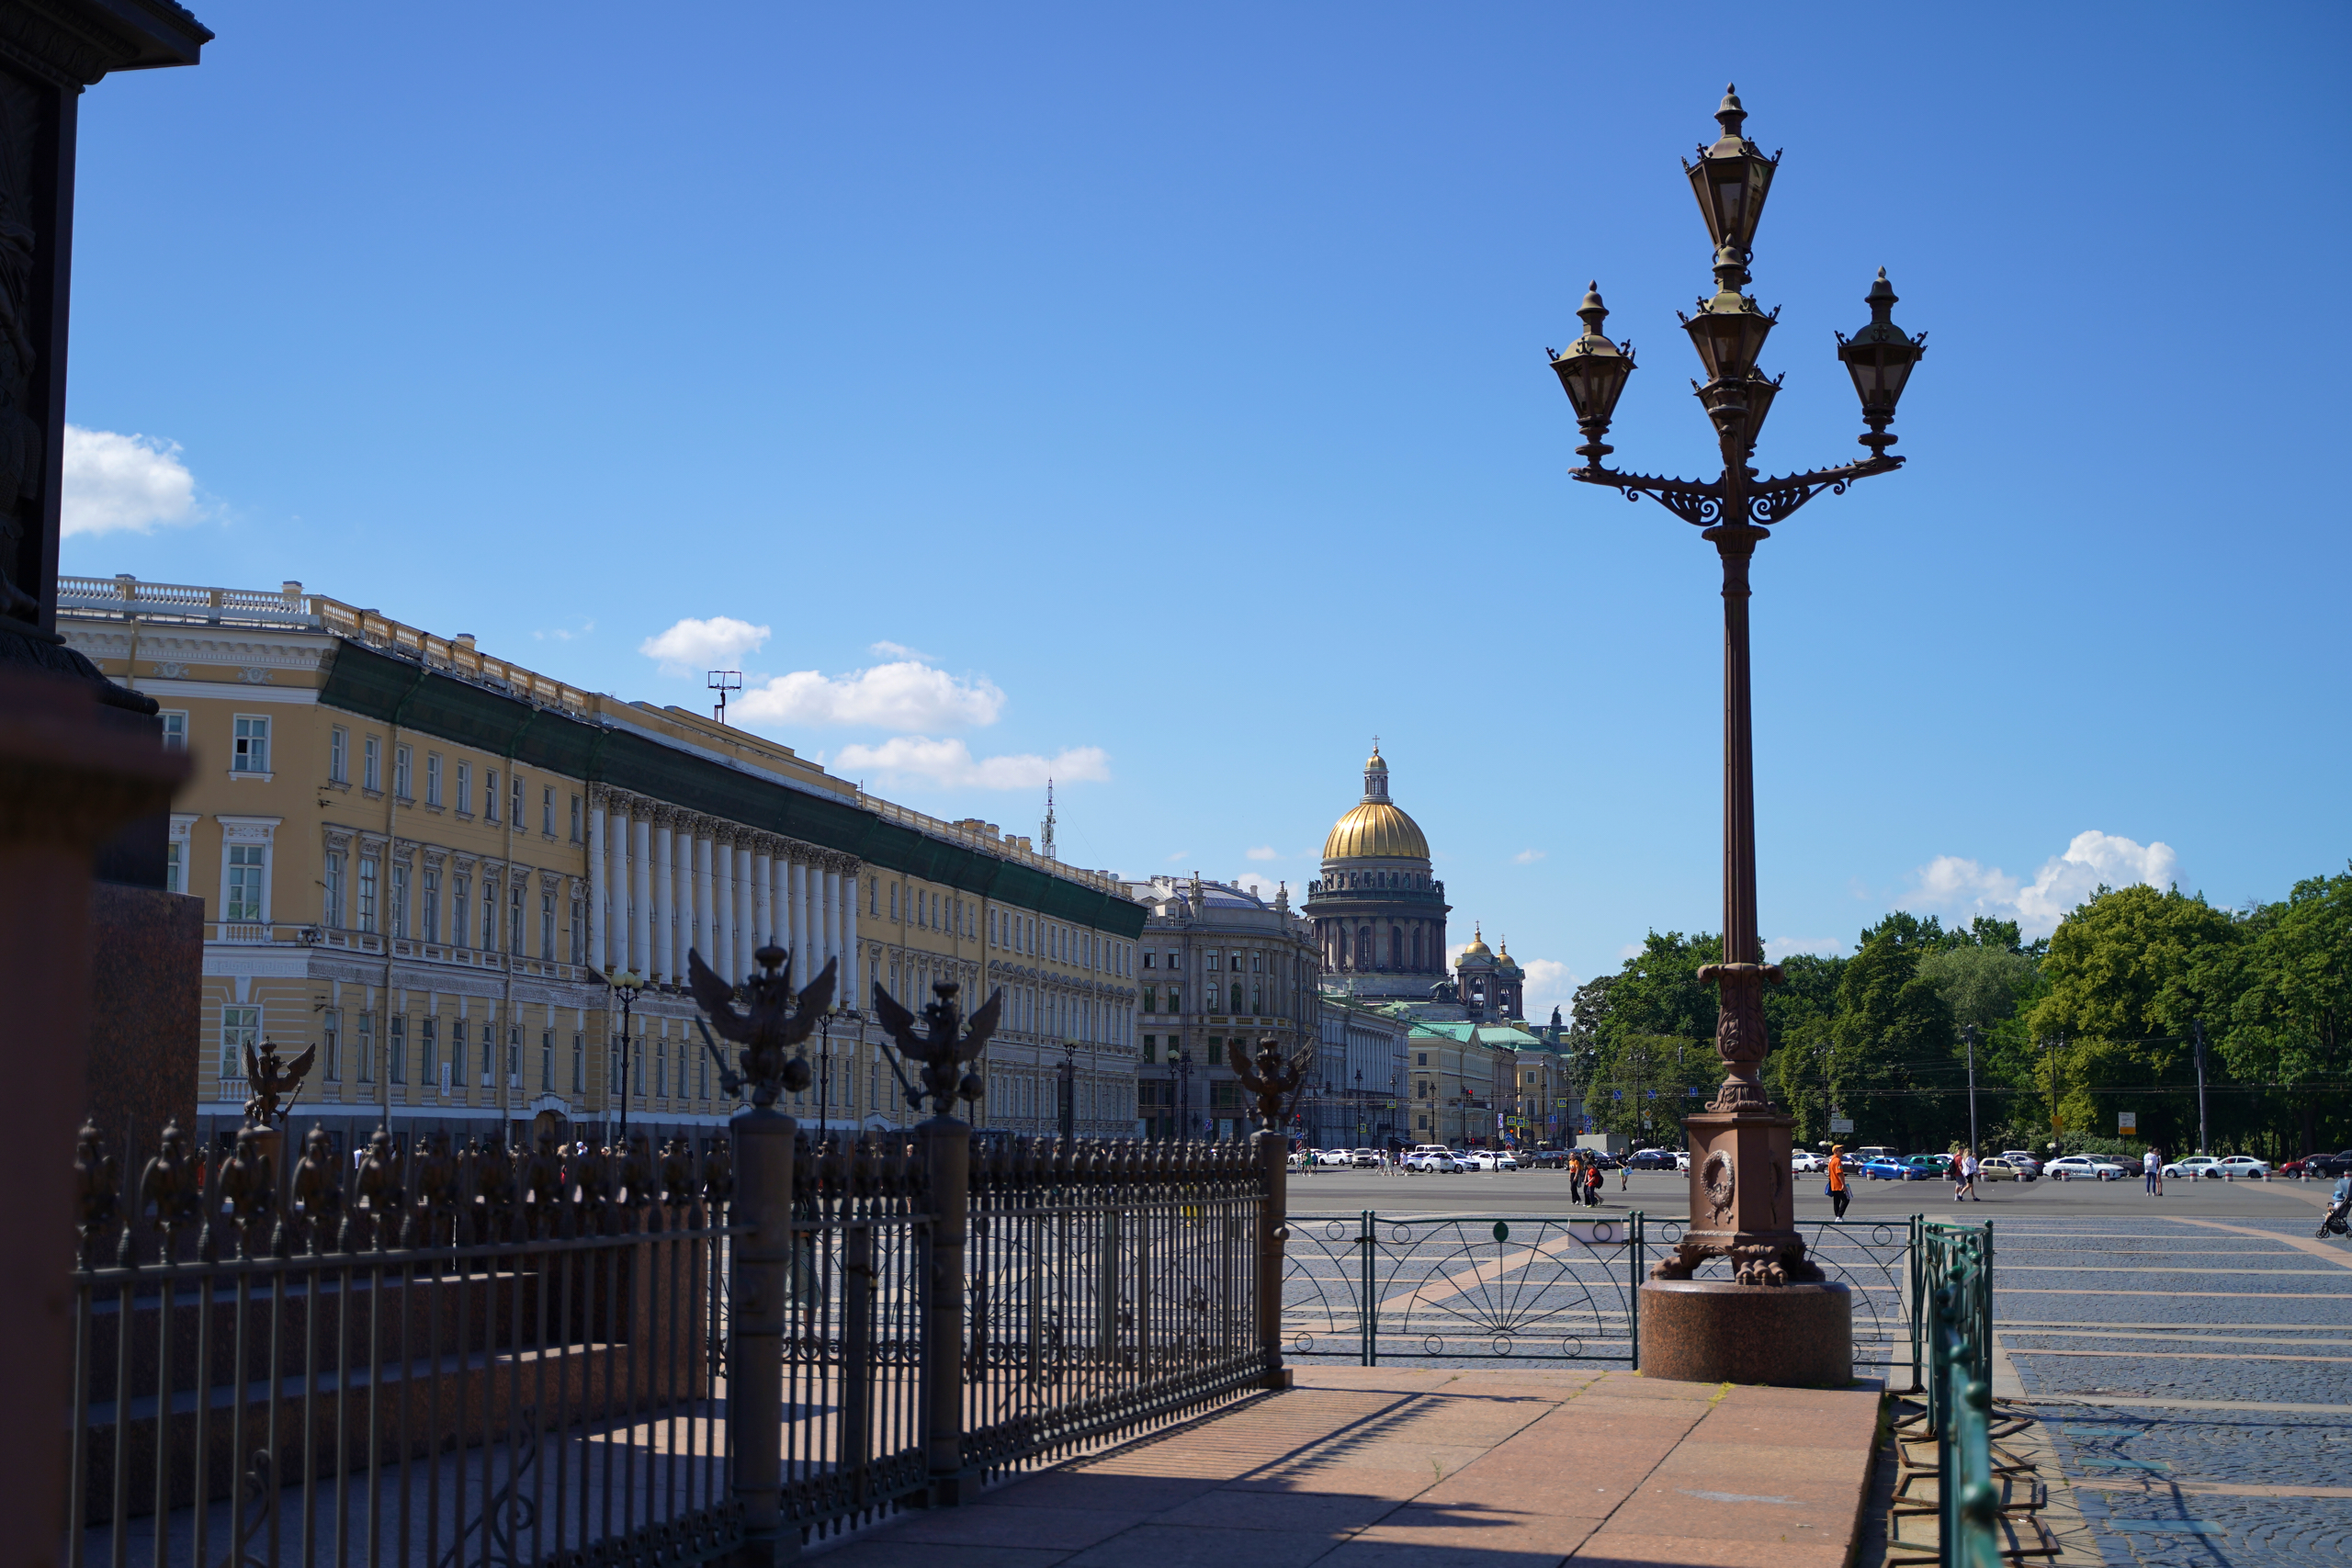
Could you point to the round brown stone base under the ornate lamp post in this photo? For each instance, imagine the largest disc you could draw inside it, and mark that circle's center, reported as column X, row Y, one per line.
column 1777, row 1336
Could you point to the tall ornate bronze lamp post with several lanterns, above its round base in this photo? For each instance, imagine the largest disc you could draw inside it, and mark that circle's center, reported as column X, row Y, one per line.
column 1742, row 1205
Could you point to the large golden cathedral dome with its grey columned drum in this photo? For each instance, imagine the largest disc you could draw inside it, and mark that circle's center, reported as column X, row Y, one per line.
column 1379, row 913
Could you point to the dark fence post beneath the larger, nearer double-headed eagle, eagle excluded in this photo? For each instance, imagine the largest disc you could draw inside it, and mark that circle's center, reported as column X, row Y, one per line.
column 756, row 1315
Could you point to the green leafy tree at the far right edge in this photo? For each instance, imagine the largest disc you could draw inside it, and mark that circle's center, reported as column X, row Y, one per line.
column 2294, row 998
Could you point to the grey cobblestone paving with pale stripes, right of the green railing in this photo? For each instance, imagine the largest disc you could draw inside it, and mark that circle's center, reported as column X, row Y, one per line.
column 2196, row 1379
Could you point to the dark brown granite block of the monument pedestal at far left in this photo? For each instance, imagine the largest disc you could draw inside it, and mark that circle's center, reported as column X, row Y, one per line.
column 147, row 970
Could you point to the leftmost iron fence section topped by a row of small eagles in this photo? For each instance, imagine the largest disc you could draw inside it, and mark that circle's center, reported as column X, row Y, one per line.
column 427, row 1358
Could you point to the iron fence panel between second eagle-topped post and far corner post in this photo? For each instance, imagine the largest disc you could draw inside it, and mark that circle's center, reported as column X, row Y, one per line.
column 1111, row 1287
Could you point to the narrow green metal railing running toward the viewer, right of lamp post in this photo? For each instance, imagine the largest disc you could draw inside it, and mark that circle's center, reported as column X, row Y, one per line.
column 1953, row 1266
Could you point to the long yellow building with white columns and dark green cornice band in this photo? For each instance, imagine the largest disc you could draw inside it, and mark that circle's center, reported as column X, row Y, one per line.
column 427, row 862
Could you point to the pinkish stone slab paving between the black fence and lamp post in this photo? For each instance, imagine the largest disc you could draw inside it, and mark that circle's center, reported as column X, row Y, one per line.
column 1363, row 1468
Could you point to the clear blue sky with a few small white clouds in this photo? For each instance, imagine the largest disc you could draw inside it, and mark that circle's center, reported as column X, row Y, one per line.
column 1156, row 394
